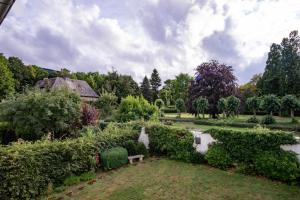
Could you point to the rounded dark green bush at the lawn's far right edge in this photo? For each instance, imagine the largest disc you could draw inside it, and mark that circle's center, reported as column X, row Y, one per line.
column 278, row 165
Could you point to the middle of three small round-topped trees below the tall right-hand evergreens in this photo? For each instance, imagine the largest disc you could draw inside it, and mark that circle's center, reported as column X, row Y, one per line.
column 270, row 103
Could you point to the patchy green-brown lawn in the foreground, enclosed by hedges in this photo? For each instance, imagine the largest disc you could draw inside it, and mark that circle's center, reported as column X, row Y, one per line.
column 166, row 179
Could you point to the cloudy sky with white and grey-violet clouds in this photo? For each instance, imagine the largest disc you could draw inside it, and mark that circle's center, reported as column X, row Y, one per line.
column 134, row 36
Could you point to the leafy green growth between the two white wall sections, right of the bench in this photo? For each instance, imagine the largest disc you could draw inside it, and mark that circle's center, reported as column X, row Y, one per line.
column 175, row 143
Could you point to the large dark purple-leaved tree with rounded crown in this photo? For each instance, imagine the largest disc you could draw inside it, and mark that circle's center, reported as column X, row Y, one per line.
column 213, row 81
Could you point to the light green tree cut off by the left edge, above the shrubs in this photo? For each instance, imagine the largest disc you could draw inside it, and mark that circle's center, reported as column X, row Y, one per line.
column 7, row 85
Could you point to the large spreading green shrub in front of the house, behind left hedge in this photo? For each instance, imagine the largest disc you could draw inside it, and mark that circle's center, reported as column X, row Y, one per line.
column 36, row 113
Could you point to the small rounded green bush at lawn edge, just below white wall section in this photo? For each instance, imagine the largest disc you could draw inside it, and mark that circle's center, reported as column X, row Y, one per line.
column 218, row 157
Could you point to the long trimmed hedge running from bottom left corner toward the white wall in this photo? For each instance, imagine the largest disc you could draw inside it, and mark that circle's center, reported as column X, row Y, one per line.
column 27, row 169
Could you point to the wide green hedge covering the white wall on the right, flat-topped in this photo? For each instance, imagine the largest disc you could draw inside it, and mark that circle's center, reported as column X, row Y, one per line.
column 244, row 145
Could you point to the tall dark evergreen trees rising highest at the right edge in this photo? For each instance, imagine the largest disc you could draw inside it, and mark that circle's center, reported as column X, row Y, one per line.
column 281, row 74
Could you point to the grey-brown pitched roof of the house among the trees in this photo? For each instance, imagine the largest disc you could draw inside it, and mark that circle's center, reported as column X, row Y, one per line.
column 79, row 86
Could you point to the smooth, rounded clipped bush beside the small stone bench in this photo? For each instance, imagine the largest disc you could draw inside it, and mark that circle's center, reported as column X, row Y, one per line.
column 114, row 158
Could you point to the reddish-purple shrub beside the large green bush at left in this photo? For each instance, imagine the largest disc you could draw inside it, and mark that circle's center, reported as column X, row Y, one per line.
column 90, row 115
